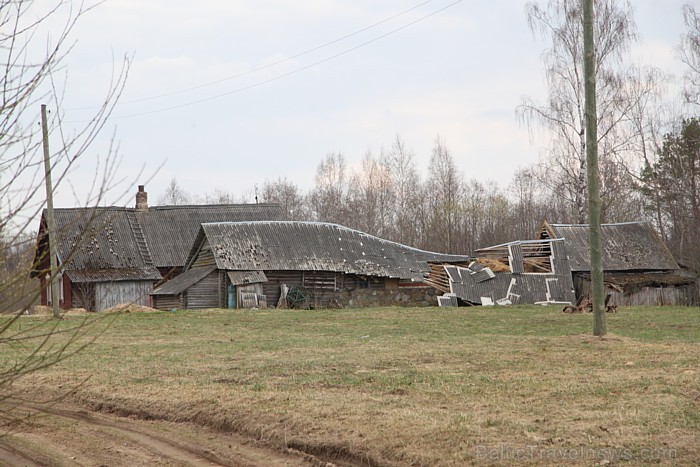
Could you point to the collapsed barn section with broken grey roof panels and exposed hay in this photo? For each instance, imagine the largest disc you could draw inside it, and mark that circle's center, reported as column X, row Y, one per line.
column 519, row 272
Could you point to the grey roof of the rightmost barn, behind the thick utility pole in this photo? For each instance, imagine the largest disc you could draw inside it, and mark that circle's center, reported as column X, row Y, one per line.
column 630, row 246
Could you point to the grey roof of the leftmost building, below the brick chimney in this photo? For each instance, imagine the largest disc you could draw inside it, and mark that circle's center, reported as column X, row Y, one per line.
column 118, row 238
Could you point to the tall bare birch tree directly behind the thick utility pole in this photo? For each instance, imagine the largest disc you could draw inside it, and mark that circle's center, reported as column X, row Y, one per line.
column 620, row 90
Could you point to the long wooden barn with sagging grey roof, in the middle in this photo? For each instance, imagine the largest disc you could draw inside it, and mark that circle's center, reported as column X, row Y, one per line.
column 298, row 264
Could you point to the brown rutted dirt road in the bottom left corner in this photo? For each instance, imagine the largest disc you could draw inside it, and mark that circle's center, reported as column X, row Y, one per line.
column 64, row 434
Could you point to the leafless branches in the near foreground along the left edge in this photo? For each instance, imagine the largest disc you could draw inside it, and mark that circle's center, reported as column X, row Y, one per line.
column 32, row 76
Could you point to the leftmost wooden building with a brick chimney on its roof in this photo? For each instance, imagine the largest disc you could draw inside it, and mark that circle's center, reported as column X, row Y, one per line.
column 113, row 255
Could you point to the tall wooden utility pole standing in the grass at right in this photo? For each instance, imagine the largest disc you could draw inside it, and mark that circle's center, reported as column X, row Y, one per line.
column 594, row 235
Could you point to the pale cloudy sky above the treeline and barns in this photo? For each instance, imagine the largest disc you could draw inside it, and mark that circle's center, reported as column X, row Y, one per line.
column 225, row 94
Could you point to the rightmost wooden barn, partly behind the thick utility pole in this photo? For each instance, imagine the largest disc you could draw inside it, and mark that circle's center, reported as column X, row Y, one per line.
column 638, row 268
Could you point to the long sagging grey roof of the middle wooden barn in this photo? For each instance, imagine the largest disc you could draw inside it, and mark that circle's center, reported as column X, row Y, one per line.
column 312, row 246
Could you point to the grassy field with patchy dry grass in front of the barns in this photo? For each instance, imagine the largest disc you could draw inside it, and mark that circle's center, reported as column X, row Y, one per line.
column 398, row 386
